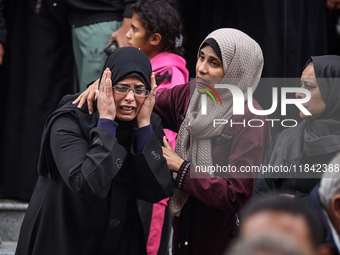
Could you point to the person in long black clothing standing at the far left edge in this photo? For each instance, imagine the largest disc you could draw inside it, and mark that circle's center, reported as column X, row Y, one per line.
column 37, row 71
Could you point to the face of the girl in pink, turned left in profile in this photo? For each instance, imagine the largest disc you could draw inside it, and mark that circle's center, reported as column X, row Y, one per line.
column 137, row 35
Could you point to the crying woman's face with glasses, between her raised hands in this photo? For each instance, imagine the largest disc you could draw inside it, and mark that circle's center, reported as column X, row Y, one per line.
column 128, row 105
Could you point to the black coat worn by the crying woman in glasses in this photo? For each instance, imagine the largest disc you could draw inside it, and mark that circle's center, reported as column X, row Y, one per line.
column 85, row 198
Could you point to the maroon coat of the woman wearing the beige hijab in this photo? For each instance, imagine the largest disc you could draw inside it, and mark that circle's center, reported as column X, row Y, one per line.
column 207, row 221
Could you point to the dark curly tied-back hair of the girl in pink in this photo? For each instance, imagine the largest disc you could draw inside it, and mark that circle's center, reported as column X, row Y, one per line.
column 163, row 17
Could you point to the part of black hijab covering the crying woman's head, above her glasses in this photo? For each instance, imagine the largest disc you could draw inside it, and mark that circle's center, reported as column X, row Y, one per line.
column 126, row 62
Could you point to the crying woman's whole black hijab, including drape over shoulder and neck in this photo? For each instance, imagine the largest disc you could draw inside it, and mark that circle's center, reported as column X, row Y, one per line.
column 124, row 63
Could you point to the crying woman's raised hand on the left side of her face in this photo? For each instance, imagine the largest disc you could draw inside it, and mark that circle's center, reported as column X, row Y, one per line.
column 106, row 104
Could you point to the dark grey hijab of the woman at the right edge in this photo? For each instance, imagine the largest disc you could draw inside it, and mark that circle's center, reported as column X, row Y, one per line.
column 322, row 135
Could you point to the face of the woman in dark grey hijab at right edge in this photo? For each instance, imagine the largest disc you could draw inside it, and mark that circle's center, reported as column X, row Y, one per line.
column 316, row 105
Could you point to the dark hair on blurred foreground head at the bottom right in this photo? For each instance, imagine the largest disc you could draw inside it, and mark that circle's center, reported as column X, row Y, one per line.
column 293, row 206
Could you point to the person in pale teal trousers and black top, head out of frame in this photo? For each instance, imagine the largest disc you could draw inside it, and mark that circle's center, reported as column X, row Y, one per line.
column 94, row 25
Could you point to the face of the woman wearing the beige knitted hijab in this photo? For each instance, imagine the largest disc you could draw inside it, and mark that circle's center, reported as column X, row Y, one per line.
column 208, row 66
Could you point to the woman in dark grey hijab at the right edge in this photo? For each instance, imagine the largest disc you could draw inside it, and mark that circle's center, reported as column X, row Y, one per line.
column 309, row 146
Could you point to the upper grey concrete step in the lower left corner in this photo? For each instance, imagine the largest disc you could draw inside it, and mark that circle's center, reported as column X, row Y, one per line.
column 11, row 216
